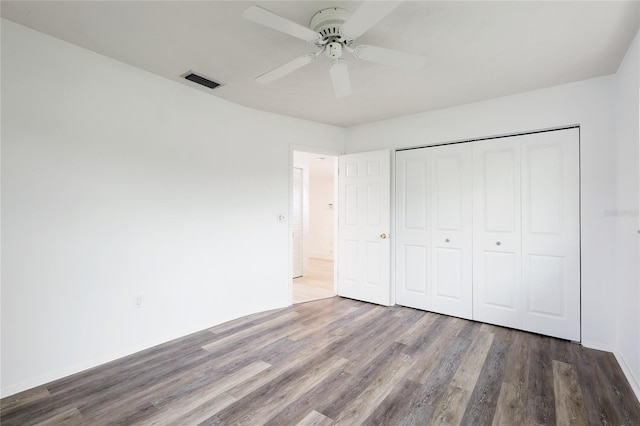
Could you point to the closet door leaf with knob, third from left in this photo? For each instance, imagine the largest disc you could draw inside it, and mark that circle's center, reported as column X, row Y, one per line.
column 497, row 292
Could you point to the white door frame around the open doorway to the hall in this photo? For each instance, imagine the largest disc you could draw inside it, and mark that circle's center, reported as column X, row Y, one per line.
column 320, row 151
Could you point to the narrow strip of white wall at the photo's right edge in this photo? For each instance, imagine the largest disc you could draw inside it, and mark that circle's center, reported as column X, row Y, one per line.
column 625, row 214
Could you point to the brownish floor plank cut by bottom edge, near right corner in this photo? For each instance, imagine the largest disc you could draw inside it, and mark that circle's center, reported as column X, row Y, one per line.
column 570, row 408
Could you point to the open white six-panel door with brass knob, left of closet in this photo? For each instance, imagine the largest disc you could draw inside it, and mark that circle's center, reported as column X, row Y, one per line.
column 363, row 226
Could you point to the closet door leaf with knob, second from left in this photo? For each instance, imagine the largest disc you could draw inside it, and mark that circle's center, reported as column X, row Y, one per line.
column 451, row 230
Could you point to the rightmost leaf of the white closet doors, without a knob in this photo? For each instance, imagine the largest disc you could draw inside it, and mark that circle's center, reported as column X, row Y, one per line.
column 551, row 233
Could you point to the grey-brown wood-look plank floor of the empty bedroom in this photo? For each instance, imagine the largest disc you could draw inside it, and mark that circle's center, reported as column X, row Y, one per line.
column 339, row 361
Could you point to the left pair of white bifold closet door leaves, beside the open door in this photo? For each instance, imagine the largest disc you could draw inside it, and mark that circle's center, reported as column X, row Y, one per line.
column 433, row 229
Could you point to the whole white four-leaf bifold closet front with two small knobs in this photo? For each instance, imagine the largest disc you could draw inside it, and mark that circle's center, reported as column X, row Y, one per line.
column 490, row 230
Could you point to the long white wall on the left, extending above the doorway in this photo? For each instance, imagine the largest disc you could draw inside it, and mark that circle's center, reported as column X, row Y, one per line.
column 116, row 182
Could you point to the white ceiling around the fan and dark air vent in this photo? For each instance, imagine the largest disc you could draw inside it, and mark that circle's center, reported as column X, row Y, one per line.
column 476, row 50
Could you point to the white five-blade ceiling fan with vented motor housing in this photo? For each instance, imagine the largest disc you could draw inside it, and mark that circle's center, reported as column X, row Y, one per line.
column 333, row 31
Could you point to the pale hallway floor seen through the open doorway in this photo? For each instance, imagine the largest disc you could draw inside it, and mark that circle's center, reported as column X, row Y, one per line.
column 317, row 283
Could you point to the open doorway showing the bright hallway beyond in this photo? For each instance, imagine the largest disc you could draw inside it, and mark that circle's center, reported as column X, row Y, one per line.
column 313, row 226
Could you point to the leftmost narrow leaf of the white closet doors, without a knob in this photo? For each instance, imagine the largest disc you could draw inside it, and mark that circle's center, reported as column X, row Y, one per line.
column 412, row 235
